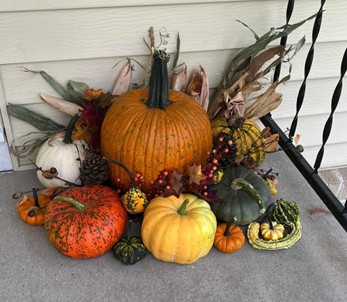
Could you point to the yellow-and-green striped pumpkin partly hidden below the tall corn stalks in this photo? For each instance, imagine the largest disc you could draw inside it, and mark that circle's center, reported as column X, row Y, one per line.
column 247, row 136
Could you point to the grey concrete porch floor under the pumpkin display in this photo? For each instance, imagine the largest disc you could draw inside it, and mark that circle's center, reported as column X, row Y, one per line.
column 315, row 269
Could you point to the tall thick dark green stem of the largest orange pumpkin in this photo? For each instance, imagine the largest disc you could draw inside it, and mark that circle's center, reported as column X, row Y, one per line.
column 159, row 82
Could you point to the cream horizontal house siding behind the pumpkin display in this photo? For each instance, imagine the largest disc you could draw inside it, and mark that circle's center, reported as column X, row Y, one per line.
column 82, row 40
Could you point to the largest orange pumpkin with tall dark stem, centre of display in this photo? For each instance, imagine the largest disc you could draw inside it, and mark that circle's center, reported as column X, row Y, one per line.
column 150, row 130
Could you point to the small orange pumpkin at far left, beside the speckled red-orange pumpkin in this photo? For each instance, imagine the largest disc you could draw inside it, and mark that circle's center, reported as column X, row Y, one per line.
column 32, row 209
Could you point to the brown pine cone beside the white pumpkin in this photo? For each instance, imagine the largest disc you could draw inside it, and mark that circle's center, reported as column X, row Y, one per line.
column 94, row 169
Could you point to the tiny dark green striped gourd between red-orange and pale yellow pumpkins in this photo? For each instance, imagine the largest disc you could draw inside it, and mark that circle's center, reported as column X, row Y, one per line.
column 129, row 250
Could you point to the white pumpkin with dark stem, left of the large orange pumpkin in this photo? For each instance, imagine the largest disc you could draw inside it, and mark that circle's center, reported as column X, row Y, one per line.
column 66, row 158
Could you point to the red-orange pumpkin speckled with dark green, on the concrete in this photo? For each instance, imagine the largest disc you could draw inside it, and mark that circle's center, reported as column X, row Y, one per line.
column 85, row 222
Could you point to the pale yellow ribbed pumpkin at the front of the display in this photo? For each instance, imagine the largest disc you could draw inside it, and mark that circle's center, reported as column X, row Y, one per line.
column 178, row 229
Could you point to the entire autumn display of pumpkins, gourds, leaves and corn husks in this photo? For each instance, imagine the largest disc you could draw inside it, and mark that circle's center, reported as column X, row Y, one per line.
column 185, row 165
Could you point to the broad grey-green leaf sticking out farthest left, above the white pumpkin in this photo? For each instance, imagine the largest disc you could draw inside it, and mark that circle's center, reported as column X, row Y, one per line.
column 35, row 119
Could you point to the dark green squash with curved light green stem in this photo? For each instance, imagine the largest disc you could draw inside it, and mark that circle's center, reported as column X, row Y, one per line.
column 244, row 196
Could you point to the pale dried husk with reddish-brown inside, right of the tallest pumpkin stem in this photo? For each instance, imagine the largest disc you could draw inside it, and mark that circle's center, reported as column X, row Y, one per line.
column 198, row 87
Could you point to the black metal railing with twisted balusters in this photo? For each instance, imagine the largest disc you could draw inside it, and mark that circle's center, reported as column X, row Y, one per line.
column 311, row 174
